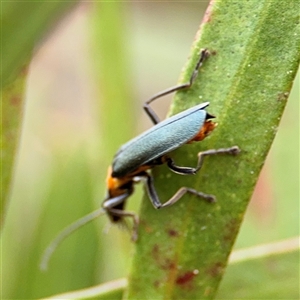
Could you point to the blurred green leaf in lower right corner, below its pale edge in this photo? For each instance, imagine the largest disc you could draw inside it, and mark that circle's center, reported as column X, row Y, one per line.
column 273, row 277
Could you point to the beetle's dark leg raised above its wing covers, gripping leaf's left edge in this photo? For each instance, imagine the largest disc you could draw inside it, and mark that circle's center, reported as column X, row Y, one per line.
column 150, row 112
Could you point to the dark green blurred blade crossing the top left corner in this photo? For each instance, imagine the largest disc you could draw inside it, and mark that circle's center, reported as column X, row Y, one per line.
column 23, row 25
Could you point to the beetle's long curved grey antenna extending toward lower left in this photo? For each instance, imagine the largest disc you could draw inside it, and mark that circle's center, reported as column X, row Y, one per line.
column 65, row 233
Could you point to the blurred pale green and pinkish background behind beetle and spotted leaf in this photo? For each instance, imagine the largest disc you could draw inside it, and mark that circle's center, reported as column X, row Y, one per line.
column 65, row 150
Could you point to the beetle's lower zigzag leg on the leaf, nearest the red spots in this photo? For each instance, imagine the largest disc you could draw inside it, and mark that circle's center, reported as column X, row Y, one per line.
column 156, row 202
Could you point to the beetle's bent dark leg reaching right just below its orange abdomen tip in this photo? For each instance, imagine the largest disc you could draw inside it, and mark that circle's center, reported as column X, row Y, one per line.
column 191, row 171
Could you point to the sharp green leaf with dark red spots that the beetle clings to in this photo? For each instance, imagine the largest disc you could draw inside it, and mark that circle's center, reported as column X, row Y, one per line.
column 183, row 250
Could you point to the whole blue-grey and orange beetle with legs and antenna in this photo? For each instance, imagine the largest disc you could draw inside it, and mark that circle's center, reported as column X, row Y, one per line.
column 134, row 159
